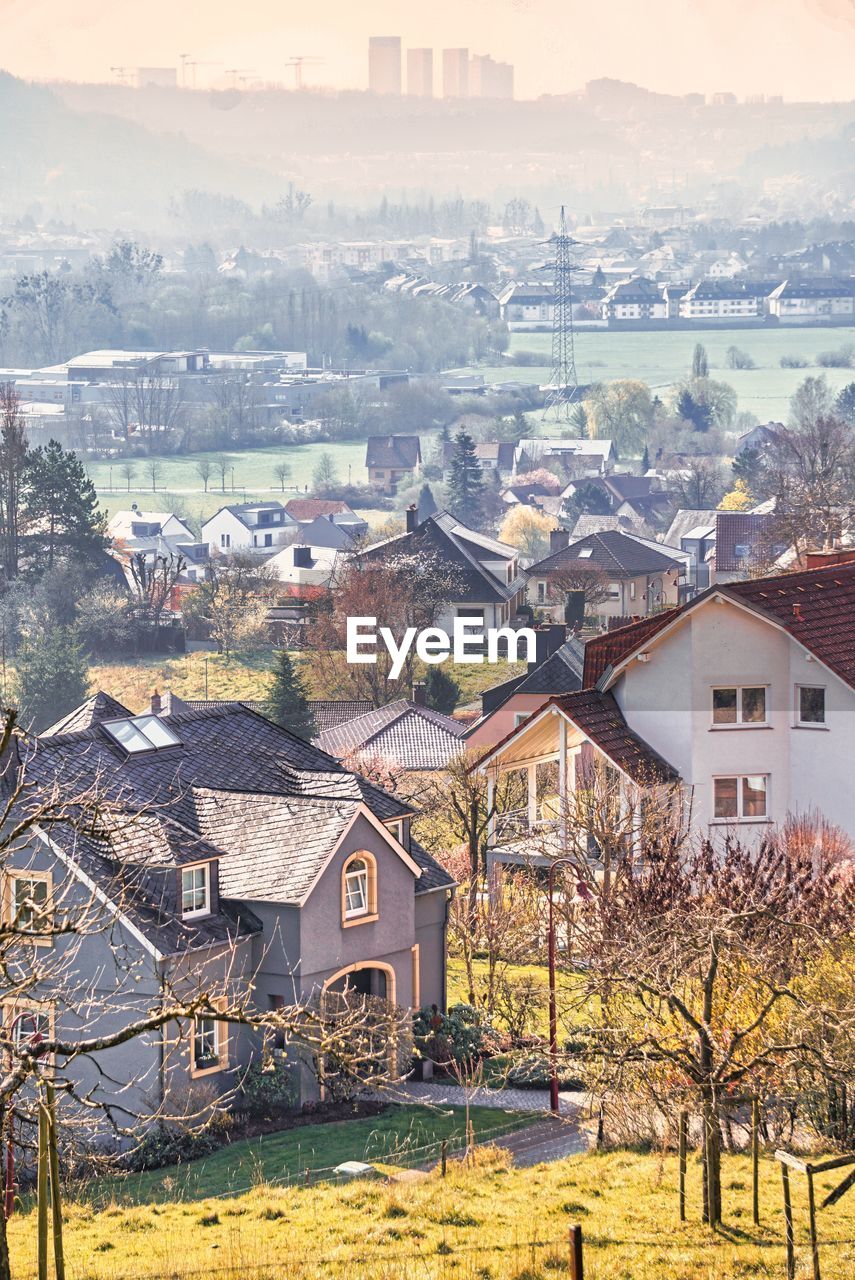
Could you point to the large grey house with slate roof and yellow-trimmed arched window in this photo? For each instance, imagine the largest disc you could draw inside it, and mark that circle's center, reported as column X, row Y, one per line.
column 244, row 862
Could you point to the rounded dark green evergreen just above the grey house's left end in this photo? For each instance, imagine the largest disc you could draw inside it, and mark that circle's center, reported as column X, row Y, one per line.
column 52, row 678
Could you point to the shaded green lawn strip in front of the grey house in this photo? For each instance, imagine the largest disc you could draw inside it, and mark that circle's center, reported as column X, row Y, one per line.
column 400, row 1136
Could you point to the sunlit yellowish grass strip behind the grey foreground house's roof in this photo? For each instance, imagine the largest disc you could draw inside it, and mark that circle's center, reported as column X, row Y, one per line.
column 245, row 676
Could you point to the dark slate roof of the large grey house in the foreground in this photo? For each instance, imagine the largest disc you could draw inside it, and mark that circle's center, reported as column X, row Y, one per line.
column 269, row 807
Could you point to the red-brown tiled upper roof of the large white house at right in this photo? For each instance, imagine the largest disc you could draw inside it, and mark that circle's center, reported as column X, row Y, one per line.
column 817, row 609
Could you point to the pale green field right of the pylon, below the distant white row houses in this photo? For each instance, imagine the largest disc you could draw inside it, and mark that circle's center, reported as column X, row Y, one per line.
column 662, row 358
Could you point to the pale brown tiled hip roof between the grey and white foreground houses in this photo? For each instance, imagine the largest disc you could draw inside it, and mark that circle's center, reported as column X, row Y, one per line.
column 404, row 734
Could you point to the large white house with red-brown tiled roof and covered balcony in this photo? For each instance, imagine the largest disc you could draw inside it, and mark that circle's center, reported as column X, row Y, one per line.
column 740, row 703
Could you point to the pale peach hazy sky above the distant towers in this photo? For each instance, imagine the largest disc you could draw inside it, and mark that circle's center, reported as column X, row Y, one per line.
column 804, row 49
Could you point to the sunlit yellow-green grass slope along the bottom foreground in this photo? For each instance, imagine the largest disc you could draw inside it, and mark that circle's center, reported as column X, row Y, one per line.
column 482, row 1223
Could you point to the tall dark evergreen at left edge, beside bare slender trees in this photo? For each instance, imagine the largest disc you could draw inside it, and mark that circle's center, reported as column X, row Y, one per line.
column 63, row 516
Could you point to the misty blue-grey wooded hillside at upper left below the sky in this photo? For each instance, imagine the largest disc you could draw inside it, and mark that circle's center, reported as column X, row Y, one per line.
column 102, row 171
